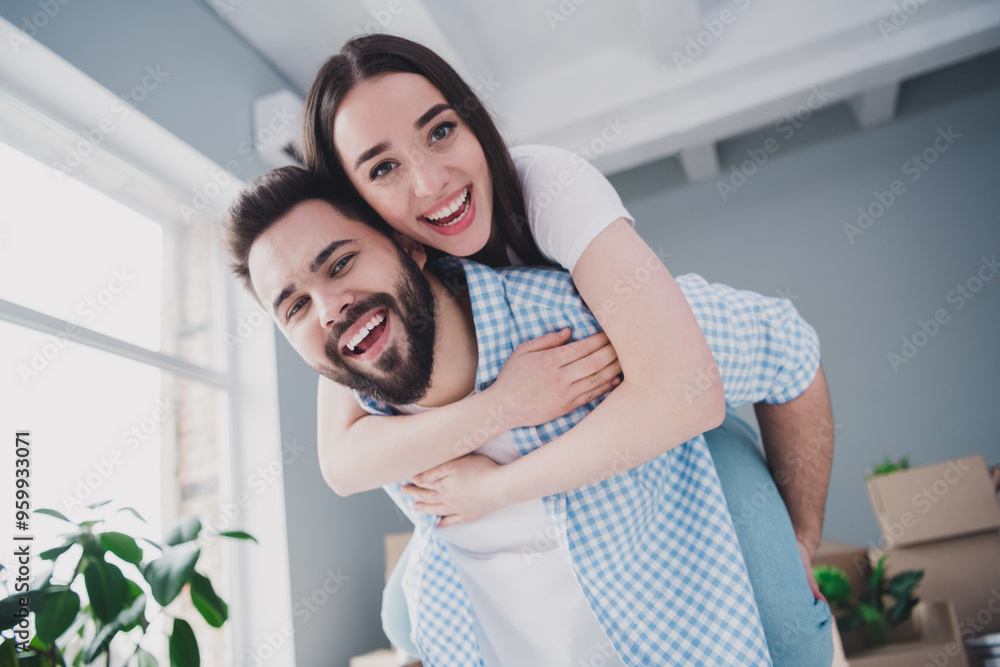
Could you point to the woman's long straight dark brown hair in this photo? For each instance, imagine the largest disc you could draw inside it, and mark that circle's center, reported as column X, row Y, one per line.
column 369, row 56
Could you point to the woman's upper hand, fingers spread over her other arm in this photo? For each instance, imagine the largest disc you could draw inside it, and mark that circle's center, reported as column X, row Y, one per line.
column 547, row 377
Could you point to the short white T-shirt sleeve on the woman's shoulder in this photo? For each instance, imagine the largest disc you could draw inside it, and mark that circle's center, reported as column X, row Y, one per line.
column 567, row 200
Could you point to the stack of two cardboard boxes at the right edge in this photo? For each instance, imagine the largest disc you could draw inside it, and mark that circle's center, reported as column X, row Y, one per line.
column 944, row 519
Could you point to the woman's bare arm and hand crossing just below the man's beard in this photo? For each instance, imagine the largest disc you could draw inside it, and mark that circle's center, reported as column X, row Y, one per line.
column 544, row 379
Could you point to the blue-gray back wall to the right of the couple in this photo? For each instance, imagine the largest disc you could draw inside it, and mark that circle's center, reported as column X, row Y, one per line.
column 783, row 232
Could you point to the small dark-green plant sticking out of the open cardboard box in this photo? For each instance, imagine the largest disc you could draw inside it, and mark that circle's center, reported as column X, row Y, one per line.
column 886, row 604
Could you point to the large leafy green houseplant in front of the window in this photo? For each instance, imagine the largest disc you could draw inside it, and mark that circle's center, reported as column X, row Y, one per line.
column 73, row 631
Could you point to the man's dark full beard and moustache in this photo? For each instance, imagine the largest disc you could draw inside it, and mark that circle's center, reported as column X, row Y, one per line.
column 403, row 376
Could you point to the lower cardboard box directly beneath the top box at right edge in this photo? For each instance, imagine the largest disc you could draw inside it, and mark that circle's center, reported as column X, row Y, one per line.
column 965, row 570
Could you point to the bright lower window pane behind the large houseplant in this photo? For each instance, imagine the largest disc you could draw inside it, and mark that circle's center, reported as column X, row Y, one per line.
column 108, row 428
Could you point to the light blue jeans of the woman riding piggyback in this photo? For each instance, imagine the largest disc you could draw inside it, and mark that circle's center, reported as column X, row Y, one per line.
column 798, row 628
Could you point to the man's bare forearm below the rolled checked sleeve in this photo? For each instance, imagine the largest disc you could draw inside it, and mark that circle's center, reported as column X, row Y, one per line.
column 798, row 441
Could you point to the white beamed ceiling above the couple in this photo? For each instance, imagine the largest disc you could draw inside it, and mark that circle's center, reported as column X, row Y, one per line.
column 563, row 72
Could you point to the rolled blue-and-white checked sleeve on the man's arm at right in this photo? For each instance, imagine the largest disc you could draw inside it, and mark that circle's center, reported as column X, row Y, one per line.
column 765, row 351
